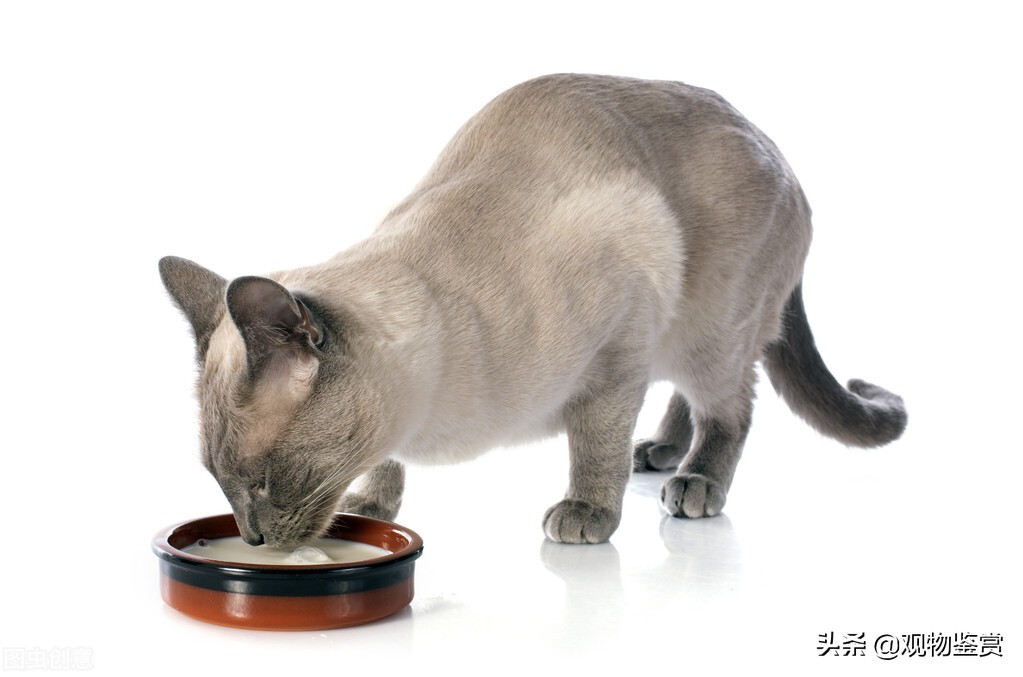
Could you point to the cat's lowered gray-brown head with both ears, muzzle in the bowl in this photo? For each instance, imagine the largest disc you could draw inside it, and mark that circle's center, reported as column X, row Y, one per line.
column 284, row 419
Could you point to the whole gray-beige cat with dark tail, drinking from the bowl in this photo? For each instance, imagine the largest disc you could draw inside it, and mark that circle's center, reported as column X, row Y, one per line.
column 580, row 239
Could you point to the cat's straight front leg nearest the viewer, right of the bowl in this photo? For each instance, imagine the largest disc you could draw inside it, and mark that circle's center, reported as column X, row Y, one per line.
column 600, row 431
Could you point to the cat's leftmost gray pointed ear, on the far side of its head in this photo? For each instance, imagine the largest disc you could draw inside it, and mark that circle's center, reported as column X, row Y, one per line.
column 200, row 295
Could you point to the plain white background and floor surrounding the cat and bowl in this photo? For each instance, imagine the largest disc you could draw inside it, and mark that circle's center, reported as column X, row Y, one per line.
column 258, row 137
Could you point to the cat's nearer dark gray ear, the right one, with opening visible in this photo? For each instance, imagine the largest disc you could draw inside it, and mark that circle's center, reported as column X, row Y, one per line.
column 271, row 320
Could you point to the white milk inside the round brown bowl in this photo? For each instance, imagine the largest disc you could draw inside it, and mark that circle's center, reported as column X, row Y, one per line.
column 318, row 552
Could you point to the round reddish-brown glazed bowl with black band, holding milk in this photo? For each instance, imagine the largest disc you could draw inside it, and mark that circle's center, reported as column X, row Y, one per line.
column 283, row 597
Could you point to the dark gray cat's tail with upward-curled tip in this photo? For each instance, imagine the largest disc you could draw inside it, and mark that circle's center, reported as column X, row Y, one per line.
column 862, row 416
